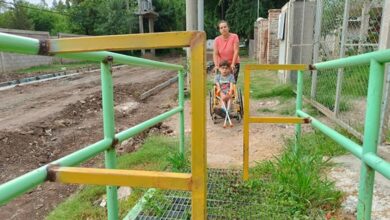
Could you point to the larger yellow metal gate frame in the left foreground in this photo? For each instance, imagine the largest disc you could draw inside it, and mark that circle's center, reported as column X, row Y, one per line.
column 197, row 180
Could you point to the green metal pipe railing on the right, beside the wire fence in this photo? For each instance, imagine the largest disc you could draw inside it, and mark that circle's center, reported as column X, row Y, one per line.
column 367, row 153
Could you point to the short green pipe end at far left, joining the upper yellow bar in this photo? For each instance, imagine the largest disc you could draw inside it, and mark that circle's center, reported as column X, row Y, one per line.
column 17, row 44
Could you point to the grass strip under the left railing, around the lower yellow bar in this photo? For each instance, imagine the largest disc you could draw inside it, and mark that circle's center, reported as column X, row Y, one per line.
column 153, row 155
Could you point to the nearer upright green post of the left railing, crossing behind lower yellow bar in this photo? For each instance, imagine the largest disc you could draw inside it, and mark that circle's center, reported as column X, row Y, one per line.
column 109, row 133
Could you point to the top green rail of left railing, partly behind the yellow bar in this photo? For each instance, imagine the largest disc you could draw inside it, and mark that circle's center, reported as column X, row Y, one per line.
column 26, row 45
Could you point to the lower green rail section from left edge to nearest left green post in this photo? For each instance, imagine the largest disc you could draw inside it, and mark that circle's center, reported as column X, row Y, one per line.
column 28, row 181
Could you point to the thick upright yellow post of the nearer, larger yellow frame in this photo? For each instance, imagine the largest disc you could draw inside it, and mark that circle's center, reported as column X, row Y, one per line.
column 198, row 119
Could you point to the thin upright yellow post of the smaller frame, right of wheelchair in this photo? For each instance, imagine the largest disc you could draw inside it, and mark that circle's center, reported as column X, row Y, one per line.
column 246, row 123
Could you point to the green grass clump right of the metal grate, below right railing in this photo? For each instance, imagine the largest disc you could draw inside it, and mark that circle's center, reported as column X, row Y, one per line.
column 296, row 179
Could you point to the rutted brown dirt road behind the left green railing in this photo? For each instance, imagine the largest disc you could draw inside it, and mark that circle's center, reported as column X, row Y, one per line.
column 42, row 122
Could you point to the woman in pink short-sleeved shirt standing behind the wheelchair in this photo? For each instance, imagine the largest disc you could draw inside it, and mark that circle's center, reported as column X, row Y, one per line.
column 226, row 47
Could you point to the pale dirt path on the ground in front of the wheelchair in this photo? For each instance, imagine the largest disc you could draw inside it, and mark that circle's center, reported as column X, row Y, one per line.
column 224, row 146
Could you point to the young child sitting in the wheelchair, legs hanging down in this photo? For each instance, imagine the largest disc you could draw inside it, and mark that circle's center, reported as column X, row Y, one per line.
column 224, row 86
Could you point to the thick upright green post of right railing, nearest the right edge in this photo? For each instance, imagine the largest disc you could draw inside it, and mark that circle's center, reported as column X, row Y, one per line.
column 370, row 140
